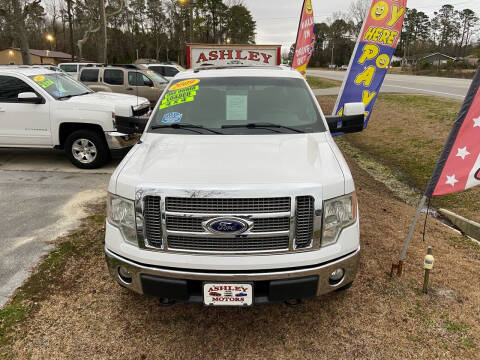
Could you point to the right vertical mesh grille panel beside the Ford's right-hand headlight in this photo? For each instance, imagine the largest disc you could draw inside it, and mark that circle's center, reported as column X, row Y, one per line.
column 304, row 221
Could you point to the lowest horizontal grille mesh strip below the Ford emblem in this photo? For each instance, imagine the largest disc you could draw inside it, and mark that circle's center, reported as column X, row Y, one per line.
column 228, row 244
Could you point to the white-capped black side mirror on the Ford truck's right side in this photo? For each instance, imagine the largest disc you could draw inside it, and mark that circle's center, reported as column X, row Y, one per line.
column 351, row 121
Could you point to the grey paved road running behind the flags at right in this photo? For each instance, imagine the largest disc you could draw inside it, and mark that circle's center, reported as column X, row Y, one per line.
column 428, row 85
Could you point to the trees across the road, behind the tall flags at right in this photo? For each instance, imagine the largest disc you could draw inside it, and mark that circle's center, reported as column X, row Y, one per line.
column 449, row 31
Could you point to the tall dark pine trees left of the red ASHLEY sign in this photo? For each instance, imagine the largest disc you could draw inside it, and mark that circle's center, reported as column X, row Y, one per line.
column 120, row 31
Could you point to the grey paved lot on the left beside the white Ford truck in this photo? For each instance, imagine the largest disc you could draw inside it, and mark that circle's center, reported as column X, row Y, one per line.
column 41, row 197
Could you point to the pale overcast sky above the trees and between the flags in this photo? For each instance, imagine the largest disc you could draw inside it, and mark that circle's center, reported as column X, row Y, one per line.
column 277, row 20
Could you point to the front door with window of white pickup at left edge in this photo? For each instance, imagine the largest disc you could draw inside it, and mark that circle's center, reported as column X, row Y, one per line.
column 22, row 124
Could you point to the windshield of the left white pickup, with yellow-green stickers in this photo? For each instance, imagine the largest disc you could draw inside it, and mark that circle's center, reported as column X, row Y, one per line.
column 60, row 85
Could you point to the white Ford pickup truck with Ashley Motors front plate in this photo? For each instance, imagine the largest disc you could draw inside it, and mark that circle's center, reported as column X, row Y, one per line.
column 236, row 193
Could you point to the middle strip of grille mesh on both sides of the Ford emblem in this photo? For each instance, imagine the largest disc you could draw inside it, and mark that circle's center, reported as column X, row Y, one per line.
column 194, row 224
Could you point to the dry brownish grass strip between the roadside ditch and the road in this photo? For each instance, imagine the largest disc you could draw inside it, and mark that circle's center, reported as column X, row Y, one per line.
column 407, row 134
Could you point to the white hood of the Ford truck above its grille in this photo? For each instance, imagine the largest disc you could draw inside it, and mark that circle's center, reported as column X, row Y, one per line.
column 209, row 161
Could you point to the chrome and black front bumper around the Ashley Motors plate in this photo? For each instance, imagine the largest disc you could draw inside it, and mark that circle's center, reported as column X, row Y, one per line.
column 269, row 285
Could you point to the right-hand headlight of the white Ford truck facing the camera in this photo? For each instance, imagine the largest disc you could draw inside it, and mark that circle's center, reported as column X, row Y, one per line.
column 338, row 213
